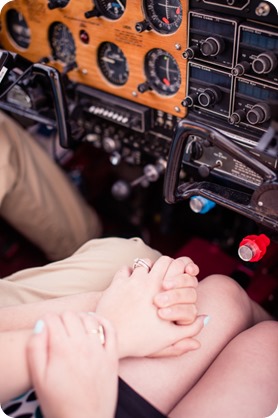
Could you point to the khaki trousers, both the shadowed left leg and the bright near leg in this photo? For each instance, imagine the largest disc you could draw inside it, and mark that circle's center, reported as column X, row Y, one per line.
column 40, row 202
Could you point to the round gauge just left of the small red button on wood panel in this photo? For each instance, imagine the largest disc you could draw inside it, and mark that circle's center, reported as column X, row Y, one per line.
column 62, row 43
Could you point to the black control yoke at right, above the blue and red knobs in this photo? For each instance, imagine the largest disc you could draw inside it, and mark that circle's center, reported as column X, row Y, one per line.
column 260, row 205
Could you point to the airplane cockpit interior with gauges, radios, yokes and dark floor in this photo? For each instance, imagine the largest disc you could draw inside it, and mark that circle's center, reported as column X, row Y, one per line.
column 164, row 115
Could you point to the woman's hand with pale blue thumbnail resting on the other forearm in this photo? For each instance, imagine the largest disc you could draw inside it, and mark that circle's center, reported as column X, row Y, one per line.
column 73, row 373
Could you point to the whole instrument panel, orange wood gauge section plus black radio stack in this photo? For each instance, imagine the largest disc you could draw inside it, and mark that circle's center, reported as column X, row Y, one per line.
column 134, row 69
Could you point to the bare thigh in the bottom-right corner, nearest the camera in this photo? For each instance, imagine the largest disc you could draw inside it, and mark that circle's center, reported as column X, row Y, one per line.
column 242, row 381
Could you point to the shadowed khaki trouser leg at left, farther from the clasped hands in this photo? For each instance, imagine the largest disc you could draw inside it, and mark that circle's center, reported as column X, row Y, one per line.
column 37, row 198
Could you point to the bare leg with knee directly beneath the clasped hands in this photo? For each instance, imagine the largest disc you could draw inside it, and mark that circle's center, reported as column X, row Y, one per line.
column 231, row 312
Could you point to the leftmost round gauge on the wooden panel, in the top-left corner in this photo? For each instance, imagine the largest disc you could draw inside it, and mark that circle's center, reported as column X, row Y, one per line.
column 18, row 28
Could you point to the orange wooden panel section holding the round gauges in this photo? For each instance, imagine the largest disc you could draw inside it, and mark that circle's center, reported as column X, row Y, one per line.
column 125, row 48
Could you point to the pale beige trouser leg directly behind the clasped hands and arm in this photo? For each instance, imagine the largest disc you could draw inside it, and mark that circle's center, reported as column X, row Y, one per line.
column 90, row 268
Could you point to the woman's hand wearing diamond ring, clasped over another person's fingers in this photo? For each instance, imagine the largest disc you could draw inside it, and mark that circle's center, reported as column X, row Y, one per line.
column 129, row 304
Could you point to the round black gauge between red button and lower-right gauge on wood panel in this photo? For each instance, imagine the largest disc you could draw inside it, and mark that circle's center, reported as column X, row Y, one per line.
column 113, row 63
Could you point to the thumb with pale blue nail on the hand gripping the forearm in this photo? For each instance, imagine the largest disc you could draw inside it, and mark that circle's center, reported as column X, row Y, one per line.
column 37, row 353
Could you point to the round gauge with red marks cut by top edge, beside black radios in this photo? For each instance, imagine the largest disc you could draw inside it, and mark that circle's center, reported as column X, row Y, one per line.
column 164, row 16
